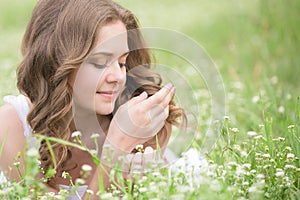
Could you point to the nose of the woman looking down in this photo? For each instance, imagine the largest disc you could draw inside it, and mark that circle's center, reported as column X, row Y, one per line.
column 115, row 73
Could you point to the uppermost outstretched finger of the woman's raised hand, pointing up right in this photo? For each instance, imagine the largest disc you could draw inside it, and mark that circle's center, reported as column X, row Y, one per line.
column 163, row 95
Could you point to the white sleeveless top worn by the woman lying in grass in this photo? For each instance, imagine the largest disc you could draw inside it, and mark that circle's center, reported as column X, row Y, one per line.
column 21, row 105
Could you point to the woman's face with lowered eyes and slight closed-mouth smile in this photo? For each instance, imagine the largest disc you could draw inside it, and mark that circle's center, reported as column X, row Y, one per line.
column 102, row 76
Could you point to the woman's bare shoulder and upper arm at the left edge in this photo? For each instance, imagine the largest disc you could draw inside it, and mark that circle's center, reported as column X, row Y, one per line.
column 11, row 136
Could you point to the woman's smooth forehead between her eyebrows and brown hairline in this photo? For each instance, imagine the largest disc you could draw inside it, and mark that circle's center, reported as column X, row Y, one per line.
column 112, row 39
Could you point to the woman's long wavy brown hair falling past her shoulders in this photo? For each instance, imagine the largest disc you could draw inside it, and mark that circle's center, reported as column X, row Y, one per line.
column 59, row 36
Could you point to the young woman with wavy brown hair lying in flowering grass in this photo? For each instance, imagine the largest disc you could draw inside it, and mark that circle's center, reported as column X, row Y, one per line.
column 82, row 63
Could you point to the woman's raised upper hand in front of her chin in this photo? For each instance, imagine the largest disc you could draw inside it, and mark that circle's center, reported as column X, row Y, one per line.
column 140, row 119
